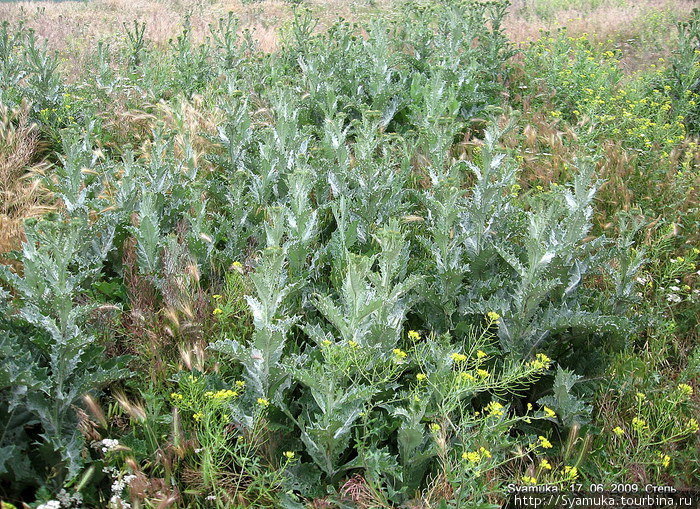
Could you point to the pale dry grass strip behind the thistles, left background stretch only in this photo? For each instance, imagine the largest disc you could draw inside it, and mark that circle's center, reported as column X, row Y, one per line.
column 71, row 27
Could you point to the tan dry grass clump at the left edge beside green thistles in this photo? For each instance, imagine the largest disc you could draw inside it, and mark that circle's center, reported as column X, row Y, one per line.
column 20, row 165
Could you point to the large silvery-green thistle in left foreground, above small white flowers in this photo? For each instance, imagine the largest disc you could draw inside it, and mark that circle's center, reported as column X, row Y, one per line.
column 59, row 258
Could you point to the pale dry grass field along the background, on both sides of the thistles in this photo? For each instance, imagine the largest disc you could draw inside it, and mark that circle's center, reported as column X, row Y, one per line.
column 639, row 27
